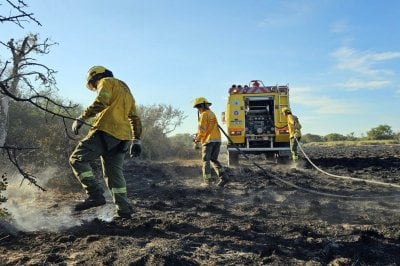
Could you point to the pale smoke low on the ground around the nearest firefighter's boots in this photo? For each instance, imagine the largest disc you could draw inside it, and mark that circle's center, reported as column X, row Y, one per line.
column 34, row 210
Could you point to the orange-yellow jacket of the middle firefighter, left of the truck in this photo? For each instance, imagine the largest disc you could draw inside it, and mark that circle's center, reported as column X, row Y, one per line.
column 208, row 130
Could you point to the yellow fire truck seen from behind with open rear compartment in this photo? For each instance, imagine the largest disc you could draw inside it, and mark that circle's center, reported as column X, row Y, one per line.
column 255, row 123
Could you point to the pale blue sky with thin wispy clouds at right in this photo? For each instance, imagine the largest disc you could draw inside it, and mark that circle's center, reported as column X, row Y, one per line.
column 341, row 58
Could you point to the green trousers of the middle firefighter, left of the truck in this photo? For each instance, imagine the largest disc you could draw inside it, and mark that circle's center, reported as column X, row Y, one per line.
column 210, row 152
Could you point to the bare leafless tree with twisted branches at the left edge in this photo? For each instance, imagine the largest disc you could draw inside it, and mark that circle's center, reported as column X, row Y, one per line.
column 23, row 78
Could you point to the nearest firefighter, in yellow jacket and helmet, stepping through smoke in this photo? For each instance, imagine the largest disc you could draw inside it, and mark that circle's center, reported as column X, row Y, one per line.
column 116, row 123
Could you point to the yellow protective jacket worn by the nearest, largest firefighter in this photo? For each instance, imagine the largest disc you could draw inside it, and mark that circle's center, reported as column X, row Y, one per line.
column 114, row 110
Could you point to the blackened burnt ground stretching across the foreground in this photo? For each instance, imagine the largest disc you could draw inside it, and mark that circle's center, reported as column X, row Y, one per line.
column 255, row 220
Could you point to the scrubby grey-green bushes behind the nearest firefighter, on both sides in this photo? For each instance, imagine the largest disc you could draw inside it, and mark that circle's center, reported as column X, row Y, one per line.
column 52, row 143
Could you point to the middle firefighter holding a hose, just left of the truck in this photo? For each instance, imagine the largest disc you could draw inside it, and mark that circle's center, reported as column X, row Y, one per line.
column 209, row 136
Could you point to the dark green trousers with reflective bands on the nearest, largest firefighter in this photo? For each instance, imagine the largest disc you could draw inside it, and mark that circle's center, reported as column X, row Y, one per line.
column 112, row 153
